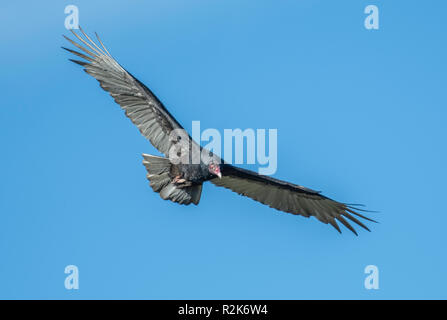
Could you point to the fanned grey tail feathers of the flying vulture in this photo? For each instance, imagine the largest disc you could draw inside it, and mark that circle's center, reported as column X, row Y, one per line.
column 159, row 175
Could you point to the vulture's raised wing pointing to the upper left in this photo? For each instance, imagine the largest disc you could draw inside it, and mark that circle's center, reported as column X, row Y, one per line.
column 139, row 103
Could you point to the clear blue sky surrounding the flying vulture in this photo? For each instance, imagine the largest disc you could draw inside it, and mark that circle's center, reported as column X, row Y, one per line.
column 361, row 115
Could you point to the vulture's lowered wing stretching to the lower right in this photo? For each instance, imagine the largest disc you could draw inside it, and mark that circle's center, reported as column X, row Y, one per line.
column 288, row 197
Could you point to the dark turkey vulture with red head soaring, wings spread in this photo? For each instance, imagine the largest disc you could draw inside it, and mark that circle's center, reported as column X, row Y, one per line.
column 181, row 181
